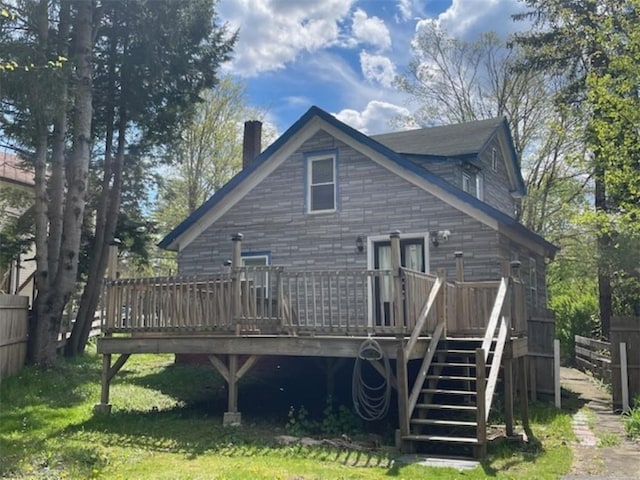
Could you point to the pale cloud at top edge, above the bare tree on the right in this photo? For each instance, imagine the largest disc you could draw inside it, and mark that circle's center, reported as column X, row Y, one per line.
column 466, row 19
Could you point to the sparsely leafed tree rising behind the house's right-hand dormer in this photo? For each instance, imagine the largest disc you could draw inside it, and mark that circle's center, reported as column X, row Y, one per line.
column 456, row 81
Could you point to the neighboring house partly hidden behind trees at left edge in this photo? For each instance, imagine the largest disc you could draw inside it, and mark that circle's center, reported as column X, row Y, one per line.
column 16, row 276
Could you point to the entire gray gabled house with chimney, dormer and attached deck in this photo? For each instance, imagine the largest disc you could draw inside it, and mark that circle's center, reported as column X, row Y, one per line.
column 407, row 240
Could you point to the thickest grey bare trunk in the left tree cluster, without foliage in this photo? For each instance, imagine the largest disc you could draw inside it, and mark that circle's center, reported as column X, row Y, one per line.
column 51, row 302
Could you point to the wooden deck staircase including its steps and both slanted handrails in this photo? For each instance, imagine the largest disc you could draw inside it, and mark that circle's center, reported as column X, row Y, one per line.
column 448, row 406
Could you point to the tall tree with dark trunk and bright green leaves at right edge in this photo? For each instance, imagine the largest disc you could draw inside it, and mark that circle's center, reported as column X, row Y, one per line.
column 589, row 46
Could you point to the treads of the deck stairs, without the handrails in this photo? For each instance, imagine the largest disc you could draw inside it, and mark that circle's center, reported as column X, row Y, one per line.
column 445, row 419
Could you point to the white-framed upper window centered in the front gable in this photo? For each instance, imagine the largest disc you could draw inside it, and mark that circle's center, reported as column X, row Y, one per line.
column 321, row 184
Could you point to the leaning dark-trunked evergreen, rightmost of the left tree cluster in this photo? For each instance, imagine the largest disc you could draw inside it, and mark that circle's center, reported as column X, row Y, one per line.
column 154, row 60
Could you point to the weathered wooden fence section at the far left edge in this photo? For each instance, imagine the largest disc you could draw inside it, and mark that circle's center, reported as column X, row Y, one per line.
column 14, row 318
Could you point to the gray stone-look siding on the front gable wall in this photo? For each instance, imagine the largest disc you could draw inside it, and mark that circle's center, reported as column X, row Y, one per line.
column 371, row 201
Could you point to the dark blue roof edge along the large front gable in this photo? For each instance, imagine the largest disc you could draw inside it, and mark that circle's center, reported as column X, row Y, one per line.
column 406, row 167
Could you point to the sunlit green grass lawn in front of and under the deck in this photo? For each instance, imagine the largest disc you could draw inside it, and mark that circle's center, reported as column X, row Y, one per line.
column 167, row 424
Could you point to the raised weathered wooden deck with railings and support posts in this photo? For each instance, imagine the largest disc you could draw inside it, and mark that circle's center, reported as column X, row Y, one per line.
column 237, row 316
